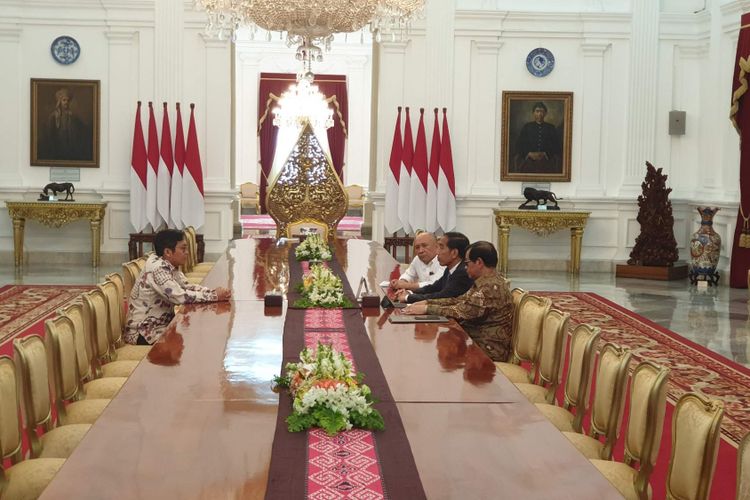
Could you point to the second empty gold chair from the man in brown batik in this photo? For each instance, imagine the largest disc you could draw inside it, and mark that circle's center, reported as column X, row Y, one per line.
column 549, row 368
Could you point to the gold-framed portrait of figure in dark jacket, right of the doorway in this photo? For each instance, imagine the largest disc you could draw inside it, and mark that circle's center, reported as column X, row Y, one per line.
column 536, row 136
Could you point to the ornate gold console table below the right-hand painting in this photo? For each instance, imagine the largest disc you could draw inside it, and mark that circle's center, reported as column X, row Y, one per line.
column 543, row 223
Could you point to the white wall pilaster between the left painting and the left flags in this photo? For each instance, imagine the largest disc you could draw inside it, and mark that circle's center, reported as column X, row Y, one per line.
column 118, row 116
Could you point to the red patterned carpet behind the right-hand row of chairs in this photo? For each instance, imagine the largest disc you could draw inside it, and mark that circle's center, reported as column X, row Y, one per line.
column 693, row 369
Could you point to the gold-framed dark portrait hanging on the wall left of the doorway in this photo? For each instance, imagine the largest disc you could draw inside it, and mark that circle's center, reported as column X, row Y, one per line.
column 64, row 123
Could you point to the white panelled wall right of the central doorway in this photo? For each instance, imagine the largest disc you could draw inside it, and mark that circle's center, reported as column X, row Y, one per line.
column 628, row 64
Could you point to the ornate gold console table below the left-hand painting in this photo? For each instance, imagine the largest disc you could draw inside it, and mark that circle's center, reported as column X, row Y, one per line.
column 55, row 214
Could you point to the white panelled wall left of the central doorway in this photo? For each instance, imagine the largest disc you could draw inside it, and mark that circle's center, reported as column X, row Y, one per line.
column 139, row 50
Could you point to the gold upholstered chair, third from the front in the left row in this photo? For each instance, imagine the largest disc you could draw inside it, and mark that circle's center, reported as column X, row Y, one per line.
column 75, row 403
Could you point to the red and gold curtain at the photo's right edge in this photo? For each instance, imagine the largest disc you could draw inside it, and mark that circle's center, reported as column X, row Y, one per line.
column 740, row 115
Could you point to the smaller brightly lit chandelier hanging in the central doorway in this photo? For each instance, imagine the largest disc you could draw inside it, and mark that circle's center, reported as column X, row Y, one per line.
column 303, row 103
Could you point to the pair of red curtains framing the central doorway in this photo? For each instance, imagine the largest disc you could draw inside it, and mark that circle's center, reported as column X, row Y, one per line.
column 272, row 85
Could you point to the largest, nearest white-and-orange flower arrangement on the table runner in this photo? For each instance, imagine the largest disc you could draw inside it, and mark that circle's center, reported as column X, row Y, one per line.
column 327, row 393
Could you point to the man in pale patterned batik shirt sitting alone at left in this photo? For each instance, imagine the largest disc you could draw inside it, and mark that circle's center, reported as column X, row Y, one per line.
column 160, row 287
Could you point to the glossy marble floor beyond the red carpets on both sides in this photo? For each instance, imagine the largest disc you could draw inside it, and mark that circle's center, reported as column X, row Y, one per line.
column 717, row 318
